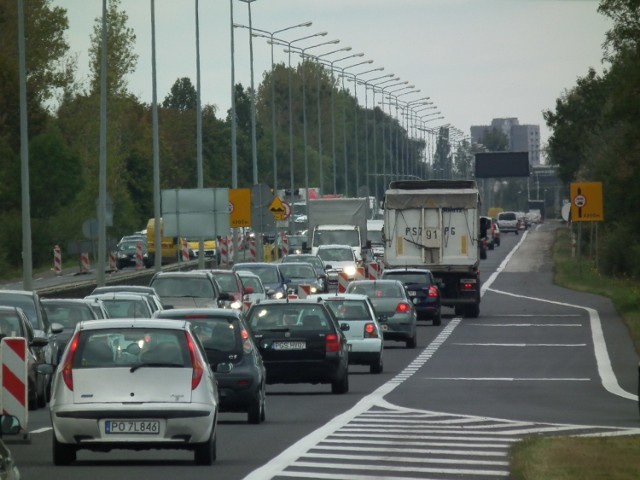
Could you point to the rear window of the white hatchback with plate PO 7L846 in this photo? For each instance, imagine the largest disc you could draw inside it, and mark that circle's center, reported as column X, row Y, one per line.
column 130, row 347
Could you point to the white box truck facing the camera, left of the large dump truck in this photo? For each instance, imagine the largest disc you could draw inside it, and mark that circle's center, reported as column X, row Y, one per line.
column 338, row 221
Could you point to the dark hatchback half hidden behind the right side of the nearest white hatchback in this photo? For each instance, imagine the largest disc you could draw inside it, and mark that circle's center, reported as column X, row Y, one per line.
column 233, row 357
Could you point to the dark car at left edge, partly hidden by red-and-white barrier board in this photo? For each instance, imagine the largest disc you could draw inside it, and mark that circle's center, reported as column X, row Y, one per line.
column 14, row 323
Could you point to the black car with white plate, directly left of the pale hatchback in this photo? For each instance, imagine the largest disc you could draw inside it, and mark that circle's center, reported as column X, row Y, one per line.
column 300, row 342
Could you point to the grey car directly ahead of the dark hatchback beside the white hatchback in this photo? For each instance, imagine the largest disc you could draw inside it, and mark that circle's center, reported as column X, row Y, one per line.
column 194, row 289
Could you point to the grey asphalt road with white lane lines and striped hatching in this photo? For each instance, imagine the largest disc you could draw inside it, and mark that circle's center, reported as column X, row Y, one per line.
column 538, row 360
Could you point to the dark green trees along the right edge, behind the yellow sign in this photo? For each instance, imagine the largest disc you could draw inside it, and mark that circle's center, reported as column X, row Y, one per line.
column 596, row 138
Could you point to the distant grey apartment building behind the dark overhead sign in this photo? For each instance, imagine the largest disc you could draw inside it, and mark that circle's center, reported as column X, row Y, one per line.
column 521, row 138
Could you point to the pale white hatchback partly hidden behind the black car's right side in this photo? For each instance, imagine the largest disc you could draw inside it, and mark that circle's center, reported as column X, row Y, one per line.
column 364, row 335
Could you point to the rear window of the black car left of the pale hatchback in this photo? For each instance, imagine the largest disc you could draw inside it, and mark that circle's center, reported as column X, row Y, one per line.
column 290, row 317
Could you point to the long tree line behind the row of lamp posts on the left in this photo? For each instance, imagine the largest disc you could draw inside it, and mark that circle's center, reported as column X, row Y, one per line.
column 64, row 138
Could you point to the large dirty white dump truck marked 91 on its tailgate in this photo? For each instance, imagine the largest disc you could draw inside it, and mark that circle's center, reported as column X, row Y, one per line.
column 434, row 224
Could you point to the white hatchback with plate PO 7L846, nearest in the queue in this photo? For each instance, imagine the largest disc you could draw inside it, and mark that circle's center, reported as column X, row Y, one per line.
column 135, row 384
